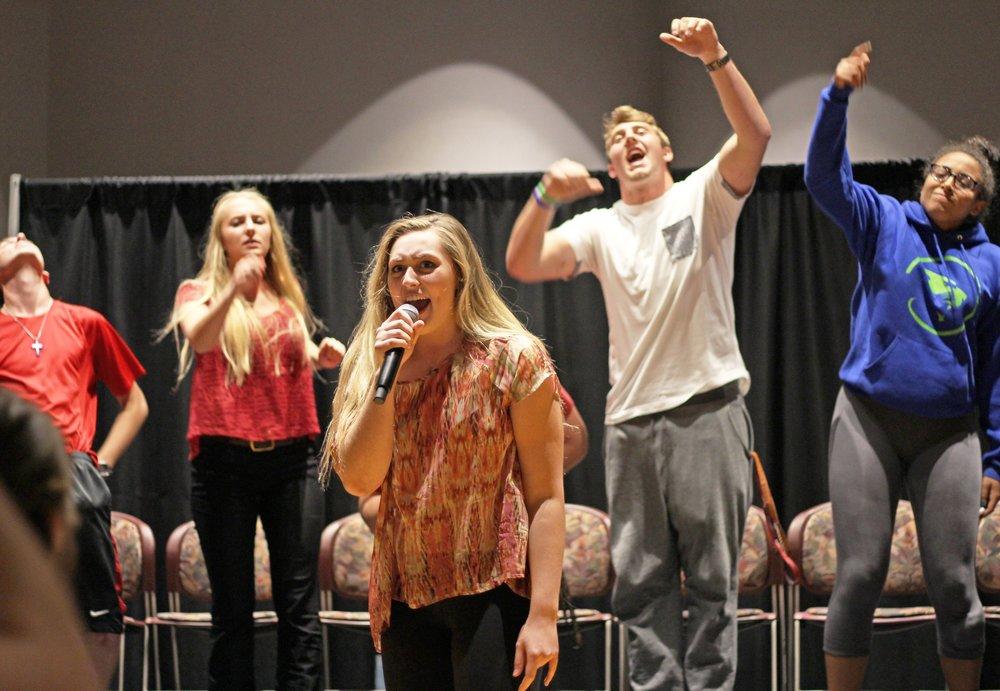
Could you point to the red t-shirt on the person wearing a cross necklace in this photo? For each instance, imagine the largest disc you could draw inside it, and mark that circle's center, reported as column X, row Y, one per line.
column 79, row 349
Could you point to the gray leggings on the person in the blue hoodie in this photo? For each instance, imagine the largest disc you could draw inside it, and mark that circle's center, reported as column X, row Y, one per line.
column 874, row 452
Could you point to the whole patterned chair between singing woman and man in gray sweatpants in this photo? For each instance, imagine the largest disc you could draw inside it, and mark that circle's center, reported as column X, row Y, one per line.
column 587, row 573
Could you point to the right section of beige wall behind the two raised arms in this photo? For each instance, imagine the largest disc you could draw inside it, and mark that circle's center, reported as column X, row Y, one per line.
column 933, row 75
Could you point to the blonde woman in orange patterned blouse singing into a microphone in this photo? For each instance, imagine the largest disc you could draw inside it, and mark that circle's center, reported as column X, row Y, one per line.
column 467, row 454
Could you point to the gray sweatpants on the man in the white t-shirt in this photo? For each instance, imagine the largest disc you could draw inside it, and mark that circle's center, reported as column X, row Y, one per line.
column 679, row 486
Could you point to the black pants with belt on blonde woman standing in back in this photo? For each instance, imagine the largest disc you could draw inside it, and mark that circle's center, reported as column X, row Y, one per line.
column 231, row 486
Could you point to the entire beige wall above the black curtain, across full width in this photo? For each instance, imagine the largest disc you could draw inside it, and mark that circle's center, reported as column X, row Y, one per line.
column 119, row 87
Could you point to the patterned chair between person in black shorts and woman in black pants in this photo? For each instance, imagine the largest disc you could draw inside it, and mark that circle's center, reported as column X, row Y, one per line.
column 137, row 553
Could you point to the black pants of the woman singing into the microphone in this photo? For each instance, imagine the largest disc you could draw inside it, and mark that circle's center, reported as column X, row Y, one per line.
column 462, row 643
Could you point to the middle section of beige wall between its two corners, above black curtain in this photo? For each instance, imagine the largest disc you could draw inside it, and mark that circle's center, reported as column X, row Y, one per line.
column 235, row 87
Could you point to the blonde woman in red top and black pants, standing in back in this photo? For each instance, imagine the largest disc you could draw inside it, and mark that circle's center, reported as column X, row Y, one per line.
column 247, row 328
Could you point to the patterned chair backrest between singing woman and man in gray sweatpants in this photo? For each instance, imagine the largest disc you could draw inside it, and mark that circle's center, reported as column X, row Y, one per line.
column 587, row 570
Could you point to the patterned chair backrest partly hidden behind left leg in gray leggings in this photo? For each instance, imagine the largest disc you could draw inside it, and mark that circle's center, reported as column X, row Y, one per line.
column 814, row 547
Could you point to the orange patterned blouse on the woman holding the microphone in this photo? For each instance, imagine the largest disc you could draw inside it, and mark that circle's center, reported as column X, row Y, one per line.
column 452, row 519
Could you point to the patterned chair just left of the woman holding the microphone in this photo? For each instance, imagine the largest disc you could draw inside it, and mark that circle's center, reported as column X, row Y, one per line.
column 345, row 556
